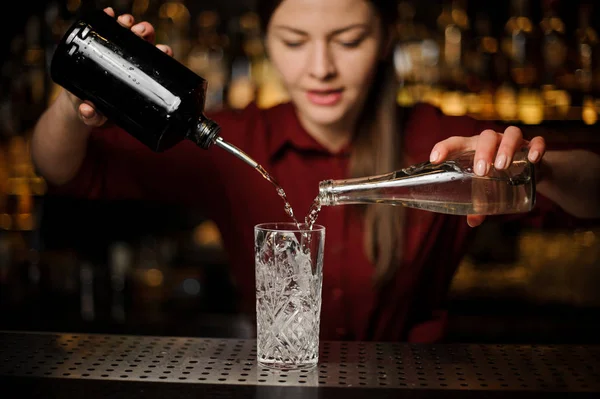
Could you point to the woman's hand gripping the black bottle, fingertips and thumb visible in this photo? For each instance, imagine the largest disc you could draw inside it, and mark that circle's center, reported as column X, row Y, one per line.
column 85, row 109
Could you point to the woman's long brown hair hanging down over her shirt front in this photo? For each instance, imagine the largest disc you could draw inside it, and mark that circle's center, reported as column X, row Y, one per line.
column 376, row 148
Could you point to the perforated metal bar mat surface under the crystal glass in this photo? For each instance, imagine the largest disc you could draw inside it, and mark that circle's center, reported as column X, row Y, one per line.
column 369, row 365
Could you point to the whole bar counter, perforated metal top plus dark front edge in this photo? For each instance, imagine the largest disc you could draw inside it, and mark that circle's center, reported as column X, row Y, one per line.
column 64, row 365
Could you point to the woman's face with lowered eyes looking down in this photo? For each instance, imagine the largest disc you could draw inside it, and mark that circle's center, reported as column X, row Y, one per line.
column 326, row 52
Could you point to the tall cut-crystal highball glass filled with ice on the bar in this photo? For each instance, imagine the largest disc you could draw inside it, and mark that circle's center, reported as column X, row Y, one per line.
column 289, row 276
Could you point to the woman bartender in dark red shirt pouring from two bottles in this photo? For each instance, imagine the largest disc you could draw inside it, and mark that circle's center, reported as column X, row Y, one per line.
column 387, row 269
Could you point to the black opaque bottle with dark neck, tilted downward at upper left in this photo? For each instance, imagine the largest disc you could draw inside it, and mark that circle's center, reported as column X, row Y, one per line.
column 146, row 92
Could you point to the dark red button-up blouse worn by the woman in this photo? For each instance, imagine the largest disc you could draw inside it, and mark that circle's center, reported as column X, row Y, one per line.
column 236, row 197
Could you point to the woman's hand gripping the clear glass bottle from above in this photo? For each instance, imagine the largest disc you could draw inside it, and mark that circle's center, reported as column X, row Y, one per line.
column 491, row 148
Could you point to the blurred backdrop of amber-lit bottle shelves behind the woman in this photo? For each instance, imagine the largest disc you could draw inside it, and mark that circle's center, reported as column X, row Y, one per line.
column 142, row 268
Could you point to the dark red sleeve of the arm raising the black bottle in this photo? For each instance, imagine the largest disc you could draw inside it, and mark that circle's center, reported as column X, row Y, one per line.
column 118, row 166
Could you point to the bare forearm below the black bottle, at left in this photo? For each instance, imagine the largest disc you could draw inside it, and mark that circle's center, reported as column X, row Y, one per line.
column 59, row 142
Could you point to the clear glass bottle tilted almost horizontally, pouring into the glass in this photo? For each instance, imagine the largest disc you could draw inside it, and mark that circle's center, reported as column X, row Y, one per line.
column 450, row 187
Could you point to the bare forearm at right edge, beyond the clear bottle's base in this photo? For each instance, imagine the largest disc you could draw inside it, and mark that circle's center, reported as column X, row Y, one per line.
column 571, row 179
